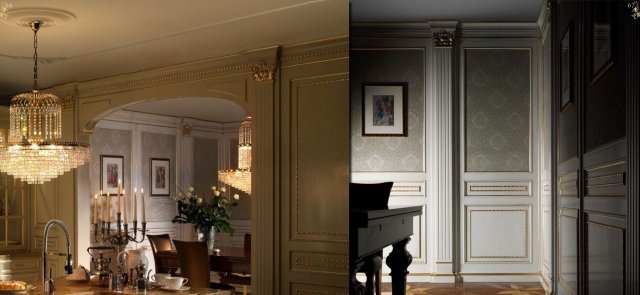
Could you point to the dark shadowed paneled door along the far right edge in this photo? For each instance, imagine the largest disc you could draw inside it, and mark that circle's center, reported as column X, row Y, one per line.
column 592, row 82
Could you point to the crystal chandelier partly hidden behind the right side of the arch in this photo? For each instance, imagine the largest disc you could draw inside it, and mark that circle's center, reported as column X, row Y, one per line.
column 241, row 178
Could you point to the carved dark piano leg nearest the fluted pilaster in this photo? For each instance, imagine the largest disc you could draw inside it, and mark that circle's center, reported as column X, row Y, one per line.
column 399, row 260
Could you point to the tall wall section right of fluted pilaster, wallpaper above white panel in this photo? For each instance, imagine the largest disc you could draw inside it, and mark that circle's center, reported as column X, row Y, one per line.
column 500, row 160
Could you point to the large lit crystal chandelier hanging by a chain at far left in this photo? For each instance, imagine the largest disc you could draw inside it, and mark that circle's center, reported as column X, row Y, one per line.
column 32, row 152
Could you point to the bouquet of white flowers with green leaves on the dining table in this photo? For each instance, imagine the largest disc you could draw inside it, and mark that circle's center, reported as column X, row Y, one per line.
column 205, row 212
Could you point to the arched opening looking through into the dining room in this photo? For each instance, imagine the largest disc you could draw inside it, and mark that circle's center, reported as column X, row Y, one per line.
column 193, row 136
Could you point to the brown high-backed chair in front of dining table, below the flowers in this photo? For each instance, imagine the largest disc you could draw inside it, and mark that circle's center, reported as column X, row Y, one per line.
column 194, row 265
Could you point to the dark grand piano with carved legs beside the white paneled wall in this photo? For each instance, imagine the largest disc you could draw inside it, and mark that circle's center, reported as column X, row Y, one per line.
column 372, row 227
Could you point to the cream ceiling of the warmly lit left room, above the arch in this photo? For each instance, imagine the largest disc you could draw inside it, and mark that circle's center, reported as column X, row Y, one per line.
column 114, row 37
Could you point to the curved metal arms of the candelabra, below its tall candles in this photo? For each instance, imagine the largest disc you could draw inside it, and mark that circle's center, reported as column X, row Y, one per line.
column 121, row 235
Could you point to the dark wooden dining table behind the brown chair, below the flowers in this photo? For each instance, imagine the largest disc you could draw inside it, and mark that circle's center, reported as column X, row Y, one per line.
column 230, row 260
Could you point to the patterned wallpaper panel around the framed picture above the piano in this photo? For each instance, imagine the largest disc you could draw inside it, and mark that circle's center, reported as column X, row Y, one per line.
column 388, row 154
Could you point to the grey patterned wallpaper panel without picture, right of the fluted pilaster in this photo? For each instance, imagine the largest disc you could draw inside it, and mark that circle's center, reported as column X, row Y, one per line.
column 497, row 105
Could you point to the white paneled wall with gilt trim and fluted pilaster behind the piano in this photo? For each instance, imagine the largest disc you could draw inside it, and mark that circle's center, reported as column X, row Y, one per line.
column 473, row 126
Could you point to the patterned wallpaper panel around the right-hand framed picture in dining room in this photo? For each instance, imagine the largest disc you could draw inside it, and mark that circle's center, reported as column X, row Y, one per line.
column 158, row 146
